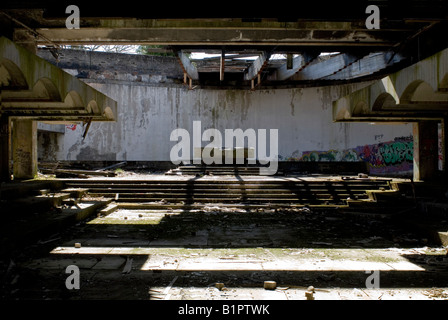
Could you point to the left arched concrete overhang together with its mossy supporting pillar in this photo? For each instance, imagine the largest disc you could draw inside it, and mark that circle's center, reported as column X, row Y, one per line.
column 33, row 89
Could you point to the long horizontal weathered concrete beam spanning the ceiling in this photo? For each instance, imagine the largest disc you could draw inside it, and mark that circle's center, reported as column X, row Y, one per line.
column 212, row 36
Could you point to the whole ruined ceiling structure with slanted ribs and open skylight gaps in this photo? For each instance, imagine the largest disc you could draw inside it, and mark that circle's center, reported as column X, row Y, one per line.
column 253, row 45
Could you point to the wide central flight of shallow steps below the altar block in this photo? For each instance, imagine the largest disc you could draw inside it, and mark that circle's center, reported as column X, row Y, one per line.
column 275, row 191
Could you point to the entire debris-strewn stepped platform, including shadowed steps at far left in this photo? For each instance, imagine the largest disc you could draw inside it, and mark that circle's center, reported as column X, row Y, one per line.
column 48, row 206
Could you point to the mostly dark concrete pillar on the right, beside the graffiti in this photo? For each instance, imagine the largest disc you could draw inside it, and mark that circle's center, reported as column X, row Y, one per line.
column 425, row 150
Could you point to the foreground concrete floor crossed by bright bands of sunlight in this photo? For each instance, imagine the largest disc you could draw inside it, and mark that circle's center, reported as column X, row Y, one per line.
column 181, row 255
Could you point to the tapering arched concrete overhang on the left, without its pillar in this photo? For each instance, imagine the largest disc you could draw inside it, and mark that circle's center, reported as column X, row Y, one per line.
column 32, row 86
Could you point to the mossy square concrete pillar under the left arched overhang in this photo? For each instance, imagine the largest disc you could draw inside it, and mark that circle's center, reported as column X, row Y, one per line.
column 24, row 145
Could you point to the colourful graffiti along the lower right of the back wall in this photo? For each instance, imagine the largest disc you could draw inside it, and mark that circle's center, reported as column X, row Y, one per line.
column 393, row 157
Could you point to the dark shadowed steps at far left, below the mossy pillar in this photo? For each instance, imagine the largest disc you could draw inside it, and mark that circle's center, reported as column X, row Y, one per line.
column 36, row 209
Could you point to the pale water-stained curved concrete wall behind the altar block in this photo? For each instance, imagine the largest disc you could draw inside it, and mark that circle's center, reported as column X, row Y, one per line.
column 149, row 111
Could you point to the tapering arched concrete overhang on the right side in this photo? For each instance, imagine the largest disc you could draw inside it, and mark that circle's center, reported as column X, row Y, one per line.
column 416, row 92
